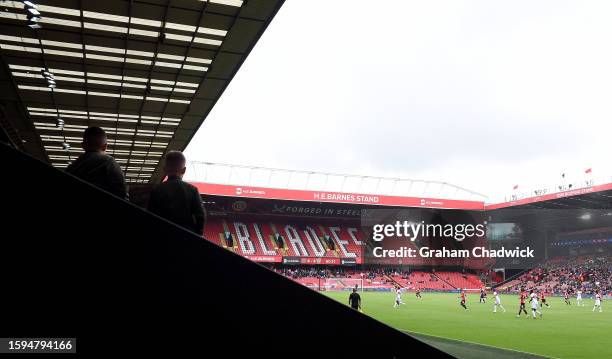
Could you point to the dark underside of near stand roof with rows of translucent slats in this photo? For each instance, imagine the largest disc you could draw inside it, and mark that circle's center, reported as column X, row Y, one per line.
column 147, row 71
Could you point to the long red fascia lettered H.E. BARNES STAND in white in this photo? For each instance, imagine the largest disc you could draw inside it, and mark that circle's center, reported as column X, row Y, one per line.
column 334, row 197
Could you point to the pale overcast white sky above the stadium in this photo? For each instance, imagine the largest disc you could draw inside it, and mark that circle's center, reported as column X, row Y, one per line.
column 482, row 94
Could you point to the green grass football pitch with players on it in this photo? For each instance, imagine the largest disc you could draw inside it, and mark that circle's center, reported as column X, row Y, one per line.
column 563, row 332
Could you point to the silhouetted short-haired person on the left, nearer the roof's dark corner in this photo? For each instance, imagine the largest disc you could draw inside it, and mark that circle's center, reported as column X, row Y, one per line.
column 96, row 167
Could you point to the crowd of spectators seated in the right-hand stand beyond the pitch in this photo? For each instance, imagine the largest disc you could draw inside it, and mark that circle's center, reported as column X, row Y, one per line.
column 561, row 275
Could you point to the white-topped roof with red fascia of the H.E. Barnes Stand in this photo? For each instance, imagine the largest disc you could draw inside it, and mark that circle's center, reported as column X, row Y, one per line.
column 274, row 183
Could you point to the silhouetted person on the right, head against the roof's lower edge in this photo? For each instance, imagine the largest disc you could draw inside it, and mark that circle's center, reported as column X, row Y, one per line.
column 176, row 200
